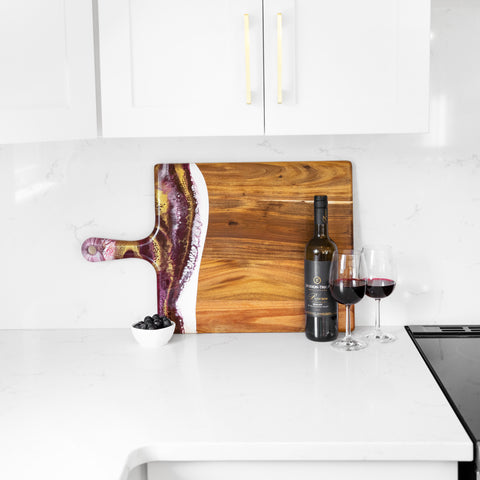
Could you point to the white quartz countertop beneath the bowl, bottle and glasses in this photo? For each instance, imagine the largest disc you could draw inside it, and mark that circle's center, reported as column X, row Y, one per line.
column 81, row 404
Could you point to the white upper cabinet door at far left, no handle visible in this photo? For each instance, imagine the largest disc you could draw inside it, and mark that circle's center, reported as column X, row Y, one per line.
column 47, row 82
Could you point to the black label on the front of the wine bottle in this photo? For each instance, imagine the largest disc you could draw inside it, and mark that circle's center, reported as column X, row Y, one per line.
column 318, row 300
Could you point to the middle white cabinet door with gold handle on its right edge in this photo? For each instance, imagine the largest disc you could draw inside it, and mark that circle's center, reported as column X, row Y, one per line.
column 174, row 68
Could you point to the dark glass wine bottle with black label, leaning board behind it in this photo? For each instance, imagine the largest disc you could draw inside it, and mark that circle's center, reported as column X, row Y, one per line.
column 321, row 324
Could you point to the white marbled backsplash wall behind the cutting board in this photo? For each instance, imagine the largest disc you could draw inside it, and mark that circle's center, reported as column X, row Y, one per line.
column 421, row 193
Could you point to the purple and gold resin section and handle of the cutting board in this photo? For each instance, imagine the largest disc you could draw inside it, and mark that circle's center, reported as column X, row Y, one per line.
column 173, row 246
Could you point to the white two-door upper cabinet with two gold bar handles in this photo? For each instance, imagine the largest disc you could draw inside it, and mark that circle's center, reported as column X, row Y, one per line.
column 290, row 67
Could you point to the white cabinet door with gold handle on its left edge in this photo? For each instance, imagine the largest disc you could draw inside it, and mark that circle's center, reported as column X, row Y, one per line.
column 346, row 66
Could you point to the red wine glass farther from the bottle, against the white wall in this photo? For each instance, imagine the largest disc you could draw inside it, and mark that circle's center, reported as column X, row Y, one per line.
column 381, row 281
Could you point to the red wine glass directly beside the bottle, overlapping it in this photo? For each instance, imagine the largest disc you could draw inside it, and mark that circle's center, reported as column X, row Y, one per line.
column 347, row 286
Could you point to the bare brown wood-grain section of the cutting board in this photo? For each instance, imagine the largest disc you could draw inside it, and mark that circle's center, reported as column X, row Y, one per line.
column 261, row 217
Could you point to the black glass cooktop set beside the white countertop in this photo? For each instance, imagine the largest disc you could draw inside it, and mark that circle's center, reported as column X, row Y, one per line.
column 452, row 353
